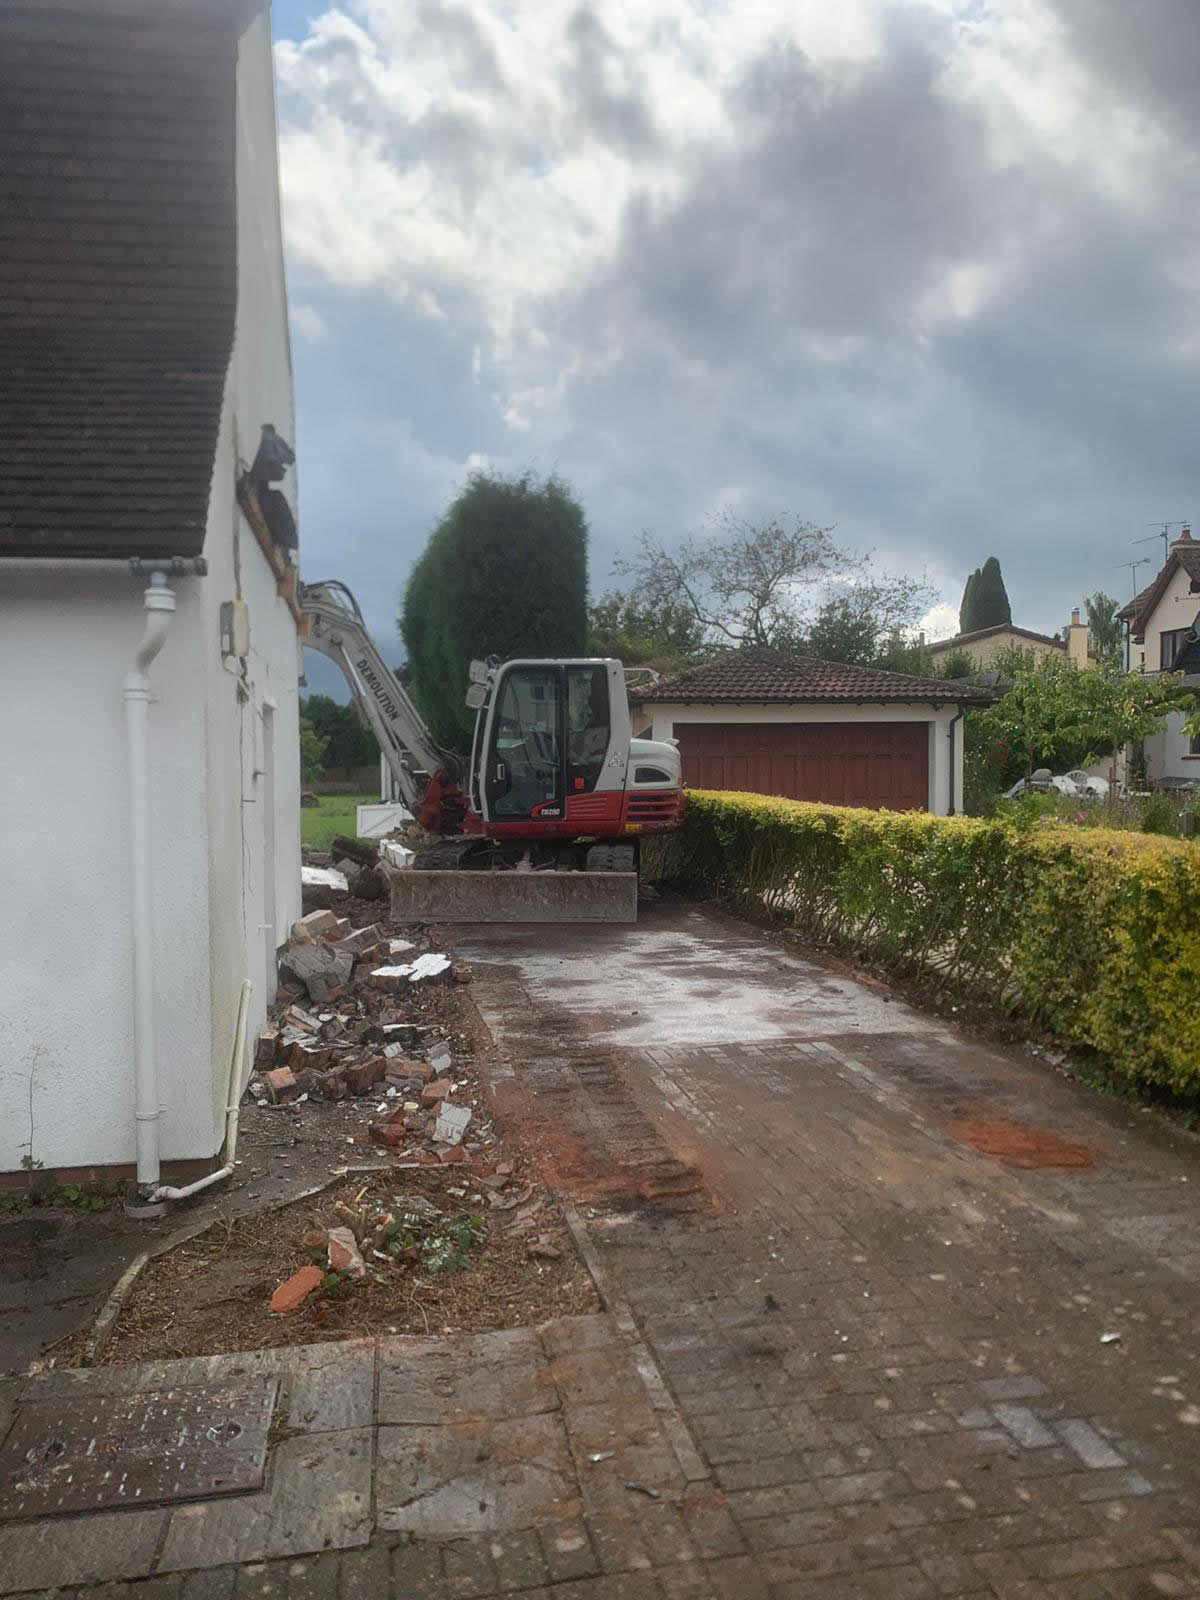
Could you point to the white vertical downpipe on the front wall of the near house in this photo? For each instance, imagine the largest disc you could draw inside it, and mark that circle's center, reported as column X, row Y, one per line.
column 159, row 602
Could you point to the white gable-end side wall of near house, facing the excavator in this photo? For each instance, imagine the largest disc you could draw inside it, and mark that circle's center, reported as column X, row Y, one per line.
column 258, row 391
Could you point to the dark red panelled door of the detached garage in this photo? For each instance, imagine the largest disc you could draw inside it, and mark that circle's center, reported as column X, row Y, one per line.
column 873, row 764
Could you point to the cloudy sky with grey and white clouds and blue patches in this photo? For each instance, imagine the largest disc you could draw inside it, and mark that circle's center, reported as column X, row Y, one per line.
column 922, row 270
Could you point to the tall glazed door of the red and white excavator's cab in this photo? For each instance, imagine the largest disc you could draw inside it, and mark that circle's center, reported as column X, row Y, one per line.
column 526, row 758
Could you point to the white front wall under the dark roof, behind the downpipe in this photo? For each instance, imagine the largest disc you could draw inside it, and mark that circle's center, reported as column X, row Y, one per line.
column 68, row 636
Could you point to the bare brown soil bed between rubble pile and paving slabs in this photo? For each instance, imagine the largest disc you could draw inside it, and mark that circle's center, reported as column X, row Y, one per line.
column 212, row 1294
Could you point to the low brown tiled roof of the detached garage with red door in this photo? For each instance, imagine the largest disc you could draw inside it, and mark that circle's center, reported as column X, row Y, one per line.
column 758, row 678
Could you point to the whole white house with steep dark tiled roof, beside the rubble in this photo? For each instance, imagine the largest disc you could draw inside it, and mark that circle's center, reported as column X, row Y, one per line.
column 148, row 590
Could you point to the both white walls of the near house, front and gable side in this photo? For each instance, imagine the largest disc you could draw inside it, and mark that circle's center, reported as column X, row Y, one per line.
column 68, row 636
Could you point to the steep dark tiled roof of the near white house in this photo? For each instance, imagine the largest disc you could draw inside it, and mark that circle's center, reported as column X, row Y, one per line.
column 118, row 271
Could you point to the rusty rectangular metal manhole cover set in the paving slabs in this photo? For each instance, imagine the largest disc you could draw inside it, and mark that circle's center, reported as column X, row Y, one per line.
column 137, row 1449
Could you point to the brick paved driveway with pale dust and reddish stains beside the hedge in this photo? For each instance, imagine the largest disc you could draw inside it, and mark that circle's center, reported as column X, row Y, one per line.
column 892, row 1353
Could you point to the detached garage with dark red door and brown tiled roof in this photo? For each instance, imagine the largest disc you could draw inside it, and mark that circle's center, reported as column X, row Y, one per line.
column 815, row 730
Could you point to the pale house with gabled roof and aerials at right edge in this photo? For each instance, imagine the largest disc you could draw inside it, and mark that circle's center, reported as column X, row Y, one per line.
column 1158, row 623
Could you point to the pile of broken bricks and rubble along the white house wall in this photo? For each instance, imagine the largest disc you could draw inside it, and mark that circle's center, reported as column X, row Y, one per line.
column 348, row 1025
